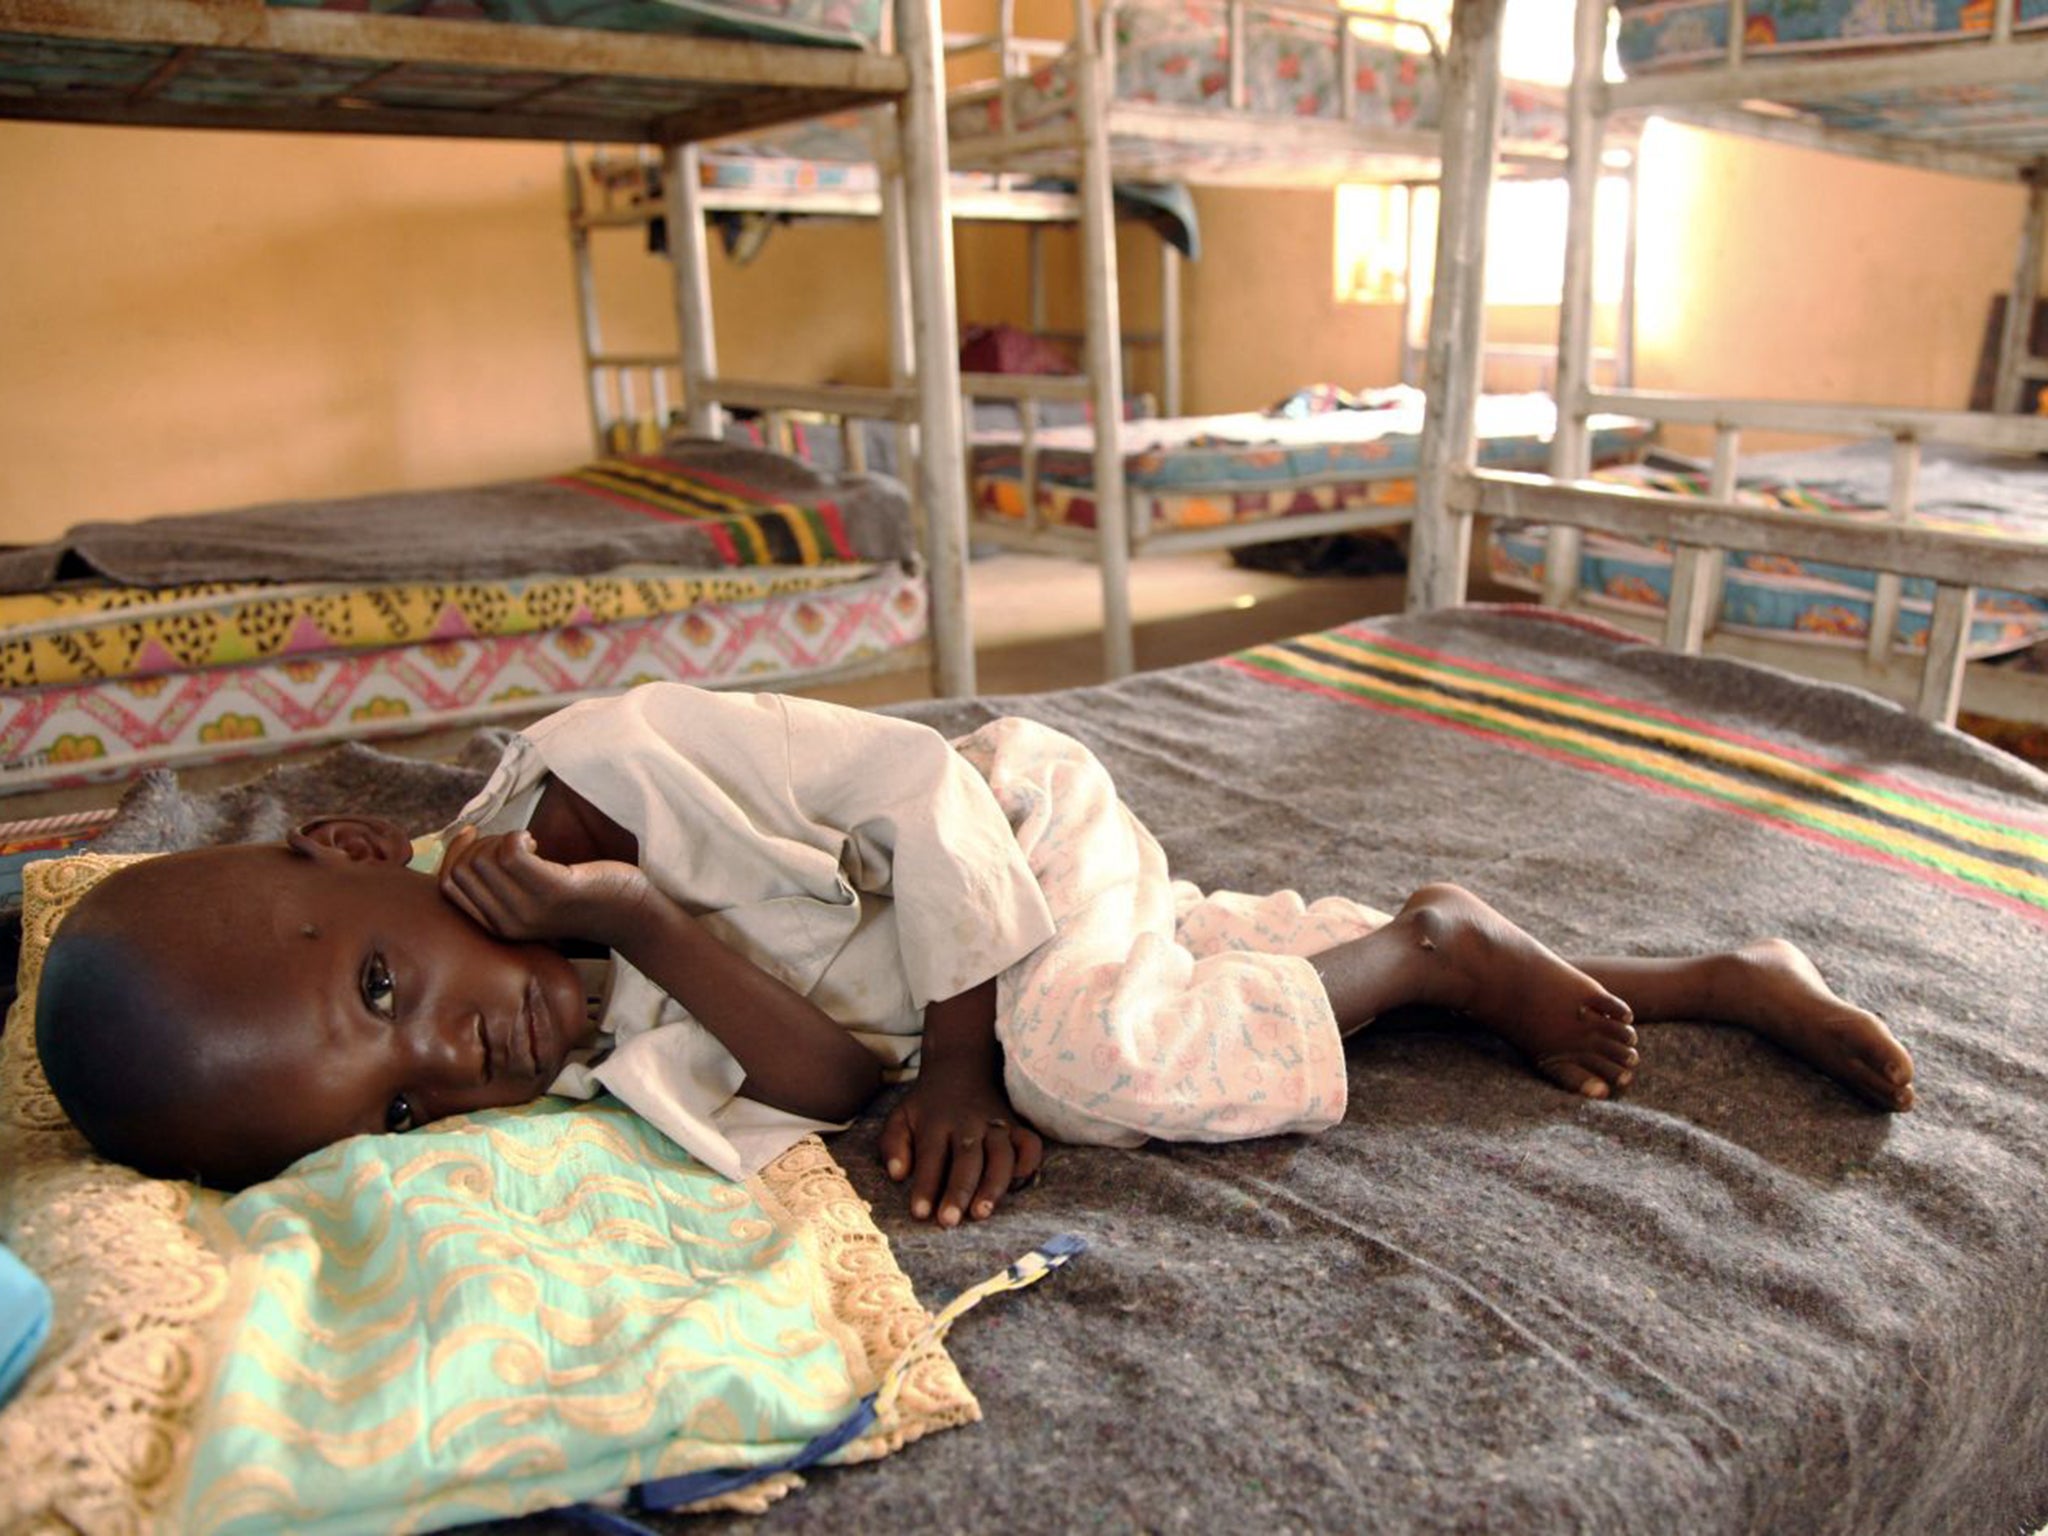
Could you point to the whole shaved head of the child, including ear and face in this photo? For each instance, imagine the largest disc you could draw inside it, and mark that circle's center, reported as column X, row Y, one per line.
column 222, row 1013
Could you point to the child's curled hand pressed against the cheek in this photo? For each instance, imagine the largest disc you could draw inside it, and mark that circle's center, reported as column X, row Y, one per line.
column 505, row 886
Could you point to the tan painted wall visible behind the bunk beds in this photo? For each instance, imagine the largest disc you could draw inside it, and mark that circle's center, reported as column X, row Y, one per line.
column 206, row 321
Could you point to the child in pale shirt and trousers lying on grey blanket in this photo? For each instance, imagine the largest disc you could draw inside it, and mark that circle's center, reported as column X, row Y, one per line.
column 798, row 898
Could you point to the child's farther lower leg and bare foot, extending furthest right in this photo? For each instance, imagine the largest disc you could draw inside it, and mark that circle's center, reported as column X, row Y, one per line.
column 1775, row 990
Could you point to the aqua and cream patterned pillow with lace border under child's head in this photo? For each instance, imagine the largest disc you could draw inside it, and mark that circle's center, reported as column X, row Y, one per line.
column 499, row 1314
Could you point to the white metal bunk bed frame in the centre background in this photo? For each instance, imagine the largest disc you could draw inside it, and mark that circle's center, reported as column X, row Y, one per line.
column 1070, row 118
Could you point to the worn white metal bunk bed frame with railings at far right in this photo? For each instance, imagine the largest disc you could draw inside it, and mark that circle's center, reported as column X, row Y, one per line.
column 1744, row 95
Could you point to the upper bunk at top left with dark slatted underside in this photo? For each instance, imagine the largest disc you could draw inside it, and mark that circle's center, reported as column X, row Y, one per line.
column 611, row 71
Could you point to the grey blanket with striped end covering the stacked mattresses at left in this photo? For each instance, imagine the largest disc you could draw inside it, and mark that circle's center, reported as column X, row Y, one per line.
column 701, row 505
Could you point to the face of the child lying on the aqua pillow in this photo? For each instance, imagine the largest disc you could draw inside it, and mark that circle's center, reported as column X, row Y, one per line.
column 359, row 1000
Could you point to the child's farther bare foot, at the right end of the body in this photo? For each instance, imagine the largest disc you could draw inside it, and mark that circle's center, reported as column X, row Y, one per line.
column 1775, row 990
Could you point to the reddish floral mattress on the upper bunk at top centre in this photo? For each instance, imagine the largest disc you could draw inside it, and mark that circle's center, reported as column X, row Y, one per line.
column 1179, row 56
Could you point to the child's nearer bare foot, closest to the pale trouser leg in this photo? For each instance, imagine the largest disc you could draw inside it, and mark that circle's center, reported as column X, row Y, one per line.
column 1471, row 959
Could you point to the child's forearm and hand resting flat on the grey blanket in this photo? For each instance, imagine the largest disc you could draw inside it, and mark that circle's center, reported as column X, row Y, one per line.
column 955, row 1127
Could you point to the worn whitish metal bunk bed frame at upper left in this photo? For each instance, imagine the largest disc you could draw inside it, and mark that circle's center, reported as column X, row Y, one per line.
column 527, row 81
